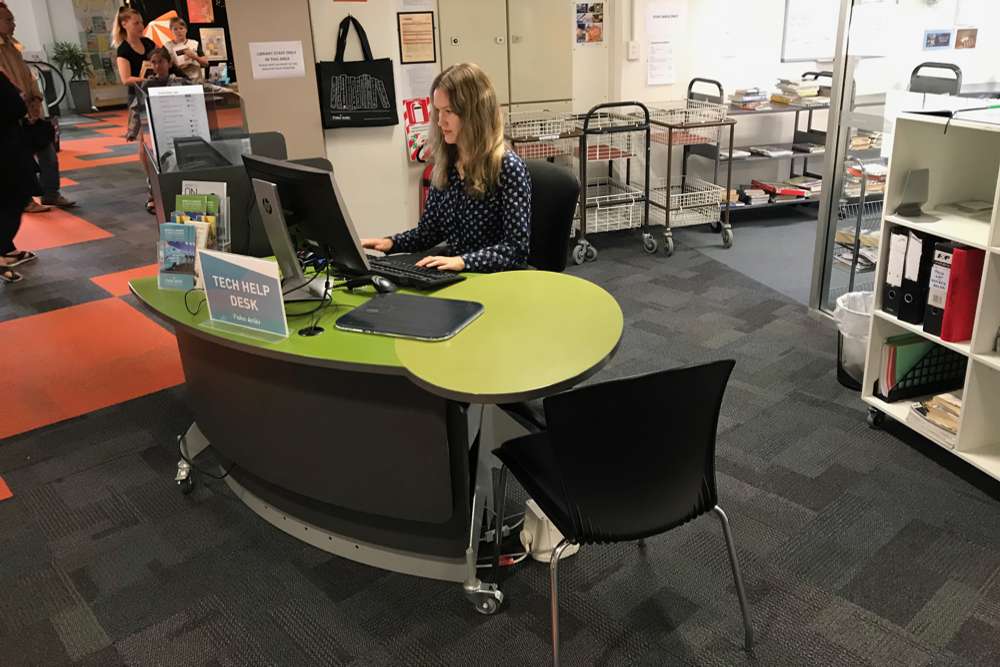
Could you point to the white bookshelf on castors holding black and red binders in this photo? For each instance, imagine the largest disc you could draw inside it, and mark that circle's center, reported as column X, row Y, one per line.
column 964, row 164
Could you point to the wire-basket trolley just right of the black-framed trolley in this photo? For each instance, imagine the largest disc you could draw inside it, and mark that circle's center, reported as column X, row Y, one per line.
column 694, row 121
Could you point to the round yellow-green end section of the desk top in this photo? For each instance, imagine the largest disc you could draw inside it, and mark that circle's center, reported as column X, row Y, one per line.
column 540, row 332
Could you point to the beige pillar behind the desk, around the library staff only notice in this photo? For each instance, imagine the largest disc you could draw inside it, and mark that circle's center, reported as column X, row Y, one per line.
column 290, row 106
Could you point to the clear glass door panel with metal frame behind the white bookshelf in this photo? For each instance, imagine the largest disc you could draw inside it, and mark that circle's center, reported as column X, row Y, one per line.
column 887, row 62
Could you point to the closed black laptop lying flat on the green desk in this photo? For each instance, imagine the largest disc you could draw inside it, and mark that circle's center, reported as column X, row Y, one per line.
column 410, row 316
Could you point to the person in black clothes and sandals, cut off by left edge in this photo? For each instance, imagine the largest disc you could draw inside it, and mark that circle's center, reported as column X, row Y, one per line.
column 17, row 178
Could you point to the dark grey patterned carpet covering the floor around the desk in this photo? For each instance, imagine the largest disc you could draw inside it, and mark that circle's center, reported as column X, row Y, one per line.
column 858, row 546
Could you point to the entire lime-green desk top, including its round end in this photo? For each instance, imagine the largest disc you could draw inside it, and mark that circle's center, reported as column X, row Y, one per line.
column 540, row 332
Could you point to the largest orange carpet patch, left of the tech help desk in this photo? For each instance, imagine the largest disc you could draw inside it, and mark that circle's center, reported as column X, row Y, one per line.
column 69, row 362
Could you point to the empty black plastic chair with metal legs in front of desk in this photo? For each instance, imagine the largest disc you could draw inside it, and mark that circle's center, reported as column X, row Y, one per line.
column 625, row 460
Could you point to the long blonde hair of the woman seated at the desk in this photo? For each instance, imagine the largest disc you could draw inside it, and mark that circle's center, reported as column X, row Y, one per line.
column 472, row 98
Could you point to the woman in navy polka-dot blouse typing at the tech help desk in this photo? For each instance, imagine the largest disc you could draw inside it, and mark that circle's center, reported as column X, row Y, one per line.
column 480, row 196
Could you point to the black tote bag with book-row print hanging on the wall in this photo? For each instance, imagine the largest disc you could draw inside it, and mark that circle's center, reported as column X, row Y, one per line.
column 361, row 93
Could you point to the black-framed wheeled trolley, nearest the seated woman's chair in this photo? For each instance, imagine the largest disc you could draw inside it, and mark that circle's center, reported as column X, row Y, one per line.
column 612, row 133
